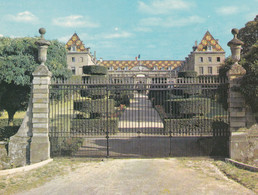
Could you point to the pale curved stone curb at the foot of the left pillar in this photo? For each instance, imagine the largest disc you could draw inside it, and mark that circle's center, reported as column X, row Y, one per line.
column 25, row 168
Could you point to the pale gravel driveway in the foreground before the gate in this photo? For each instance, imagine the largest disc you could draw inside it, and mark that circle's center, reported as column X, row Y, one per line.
column 142, row 176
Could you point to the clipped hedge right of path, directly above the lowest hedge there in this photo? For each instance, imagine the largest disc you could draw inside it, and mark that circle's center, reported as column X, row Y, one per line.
column 188, row 106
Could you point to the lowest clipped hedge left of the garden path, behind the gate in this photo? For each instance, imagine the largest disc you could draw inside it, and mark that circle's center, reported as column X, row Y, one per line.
column 94, row 126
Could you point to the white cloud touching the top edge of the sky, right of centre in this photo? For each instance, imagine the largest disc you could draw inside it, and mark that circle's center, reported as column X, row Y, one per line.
column 163, row 6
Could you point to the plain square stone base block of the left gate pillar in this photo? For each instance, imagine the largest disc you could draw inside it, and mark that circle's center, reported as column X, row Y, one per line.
column 39, row 149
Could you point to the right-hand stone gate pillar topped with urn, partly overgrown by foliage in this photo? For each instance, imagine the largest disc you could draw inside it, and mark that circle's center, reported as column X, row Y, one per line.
column 236, row 102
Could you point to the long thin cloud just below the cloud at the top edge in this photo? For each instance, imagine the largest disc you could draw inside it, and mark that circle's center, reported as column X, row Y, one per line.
column 170, row 21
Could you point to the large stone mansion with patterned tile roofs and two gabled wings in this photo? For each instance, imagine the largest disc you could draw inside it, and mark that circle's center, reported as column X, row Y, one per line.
column 205, row 59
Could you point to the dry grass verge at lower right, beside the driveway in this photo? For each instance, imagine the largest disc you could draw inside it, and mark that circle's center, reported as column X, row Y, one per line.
column 246, row 178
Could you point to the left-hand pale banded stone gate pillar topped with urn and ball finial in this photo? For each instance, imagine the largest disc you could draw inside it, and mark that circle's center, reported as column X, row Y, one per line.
column 40, row 145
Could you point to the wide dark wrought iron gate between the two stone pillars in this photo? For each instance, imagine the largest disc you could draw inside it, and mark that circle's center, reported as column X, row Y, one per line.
column 120, row 117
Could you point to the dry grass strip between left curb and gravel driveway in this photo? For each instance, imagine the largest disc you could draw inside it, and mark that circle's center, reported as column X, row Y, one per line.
column 25, row 181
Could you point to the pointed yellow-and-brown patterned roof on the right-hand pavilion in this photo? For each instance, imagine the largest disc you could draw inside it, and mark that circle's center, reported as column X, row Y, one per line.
column 208, row 40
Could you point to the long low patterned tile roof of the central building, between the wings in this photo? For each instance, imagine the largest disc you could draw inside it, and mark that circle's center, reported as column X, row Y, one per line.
column 147, row 63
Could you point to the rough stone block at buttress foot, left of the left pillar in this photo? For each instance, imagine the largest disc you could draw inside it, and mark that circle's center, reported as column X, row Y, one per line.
column 19, row 151
